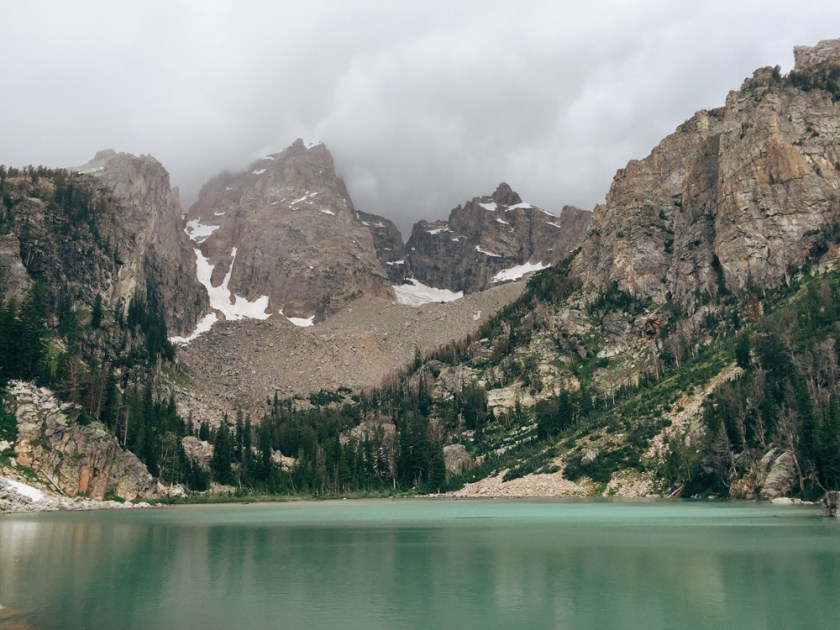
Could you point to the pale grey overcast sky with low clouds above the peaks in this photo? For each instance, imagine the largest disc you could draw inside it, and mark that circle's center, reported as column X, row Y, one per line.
column 424, row 104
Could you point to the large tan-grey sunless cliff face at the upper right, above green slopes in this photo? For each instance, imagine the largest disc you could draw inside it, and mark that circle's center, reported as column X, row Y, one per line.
column 735, row 196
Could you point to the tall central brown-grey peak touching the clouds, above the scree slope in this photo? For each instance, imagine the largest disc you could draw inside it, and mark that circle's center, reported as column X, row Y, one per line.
column 286, row 230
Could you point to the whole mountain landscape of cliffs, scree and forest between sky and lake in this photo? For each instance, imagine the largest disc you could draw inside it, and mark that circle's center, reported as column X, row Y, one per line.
column 679, row 340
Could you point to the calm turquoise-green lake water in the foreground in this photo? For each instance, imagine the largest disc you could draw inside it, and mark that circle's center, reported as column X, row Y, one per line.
column 425, row 564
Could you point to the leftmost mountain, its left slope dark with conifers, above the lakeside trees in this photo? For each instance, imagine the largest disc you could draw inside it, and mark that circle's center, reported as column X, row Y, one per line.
column 108, row 230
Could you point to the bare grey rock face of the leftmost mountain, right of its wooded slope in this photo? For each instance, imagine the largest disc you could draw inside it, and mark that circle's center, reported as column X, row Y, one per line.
column 153, row 256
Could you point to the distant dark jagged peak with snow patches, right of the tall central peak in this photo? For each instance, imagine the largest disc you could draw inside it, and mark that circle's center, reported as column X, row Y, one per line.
column 488, row 235
